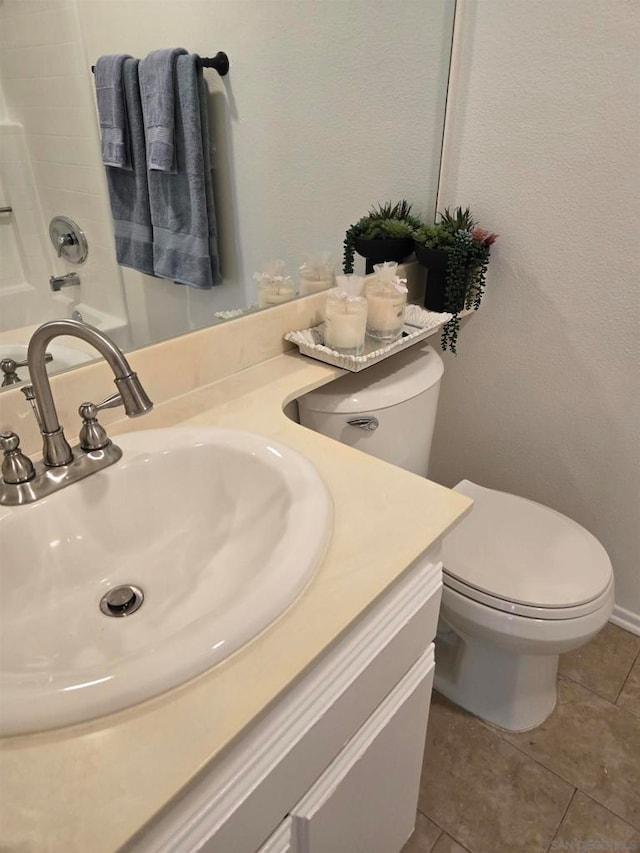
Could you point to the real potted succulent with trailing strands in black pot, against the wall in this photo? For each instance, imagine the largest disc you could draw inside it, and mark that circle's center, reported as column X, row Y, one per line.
column 455, row 252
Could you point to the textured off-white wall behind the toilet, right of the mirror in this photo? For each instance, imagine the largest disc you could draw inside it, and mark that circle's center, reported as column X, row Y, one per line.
column 544, row 396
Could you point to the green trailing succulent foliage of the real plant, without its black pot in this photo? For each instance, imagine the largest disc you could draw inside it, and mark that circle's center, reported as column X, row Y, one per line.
column 468, row 248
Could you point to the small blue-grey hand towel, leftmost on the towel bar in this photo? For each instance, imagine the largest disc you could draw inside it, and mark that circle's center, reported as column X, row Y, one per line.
column 111, row 111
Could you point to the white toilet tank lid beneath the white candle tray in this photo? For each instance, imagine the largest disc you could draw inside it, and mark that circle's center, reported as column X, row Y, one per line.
column 387, row 383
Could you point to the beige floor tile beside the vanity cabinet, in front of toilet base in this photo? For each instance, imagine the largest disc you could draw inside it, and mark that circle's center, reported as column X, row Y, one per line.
column 482, row 791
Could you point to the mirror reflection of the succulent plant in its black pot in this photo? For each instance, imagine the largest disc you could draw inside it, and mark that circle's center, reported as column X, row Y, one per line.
column 384, row 234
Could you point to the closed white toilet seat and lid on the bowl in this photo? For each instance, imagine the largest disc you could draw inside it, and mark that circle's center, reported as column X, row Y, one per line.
column 523, row 558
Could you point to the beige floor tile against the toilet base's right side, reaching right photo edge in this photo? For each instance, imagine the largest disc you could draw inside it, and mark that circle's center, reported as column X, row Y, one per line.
column 592, row 744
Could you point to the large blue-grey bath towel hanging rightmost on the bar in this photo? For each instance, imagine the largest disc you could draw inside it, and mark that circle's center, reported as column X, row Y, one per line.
column 184, row 227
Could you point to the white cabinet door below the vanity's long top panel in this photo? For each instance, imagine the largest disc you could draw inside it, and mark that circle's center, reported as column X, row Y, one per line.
column 366, row 800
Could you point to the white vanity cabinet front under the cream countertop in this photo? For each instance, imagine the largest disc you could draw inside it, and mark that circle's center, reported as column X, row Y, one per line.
column 334, row 766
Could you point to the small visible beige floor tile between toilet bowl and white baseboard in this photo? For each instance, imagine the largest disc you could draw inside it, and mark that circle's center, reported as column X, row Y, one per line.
column 604, row 663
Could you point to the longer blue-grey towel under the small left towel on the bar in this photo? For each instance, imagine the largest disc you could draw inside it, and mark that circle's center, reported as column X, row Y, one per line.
column 129, row 190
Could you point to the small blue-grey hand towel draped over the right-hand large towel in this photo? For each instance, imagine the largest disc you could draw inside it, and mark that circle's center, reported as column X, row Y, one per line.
column 157, row 86
